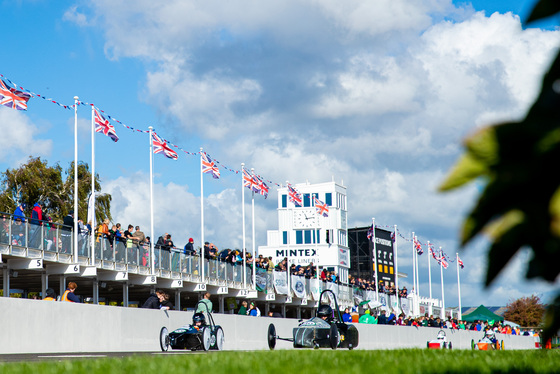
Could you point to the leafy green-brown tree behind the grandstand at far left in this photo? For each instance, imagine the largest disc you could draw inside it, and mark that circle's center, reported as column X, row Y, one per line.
column 35, row 182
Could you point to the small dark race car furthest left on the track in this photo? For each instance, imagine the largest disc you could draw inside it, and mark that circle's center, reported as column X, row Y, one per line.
column 203, row 334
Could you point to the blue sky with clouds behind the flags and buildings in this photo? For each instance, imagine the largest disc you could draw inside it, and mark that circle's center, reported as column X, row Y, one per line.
column 375, row 95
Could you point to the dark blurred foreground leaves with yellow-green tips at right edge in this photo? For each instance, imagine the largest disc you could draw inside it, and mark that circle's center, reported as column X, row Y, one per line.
column 520, row 205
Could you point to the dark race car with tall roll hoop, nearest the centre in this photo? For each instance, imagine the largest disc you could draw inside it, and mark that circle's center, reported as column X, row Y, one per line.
column 325, row 330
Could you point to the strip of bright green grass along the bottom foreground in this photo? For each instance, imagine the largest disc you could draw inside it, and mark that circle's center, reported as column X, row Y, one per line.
column 308, row 361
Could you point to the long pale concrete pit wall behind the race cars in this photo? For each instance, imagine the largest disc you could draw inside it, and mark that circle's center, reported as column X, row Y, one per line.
column 33, row 326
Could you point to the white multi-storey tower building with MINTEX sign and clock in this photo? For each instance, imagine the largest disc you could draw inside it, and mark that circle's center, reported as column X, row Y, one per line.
column 306, row 237
